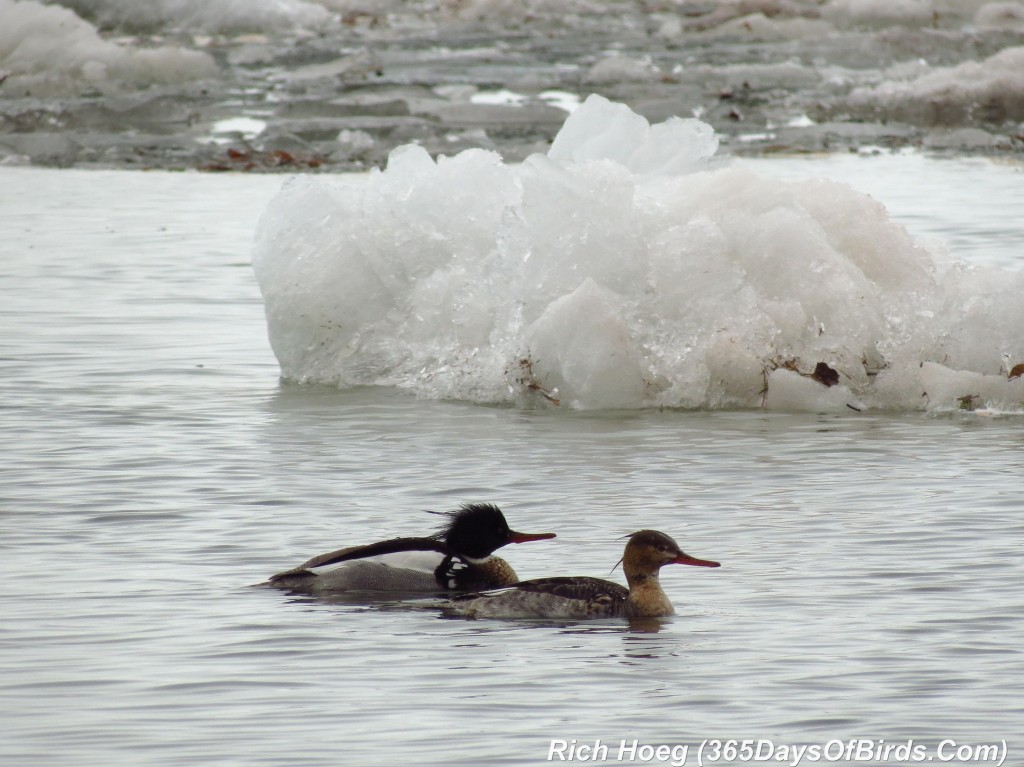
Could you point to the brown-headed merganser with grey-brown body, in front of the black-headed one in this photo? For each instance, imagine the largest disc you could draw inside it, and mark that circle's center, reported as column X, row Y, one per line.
column 586, row 598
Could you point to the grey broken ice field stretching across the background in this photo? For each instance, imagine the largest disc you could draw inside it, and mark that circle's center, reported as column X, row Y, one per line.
column 338, row 84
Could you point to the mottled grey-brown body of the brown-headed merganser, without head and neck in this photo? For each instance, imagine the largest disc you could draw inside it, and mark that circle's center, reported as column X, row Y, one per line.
column 573, row 598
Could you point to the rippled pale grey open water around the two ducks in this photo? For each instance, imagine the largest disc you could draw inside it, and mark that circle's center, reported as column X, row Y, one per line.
column 154, row 467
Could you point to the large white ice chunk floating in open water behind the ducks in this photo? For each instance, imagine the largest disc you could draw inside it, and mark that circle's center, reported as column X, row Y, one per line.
column 627, row 269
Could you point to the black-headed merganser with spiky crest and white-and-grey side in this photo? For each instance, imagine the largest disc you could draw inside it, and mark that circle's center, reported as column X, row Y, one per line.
column 457, row 559
